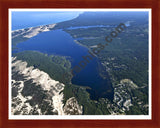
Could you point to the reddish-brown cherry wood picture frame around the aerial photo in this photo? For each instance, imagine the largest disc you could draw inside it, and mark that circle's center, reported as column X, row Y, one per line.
column 5, row 5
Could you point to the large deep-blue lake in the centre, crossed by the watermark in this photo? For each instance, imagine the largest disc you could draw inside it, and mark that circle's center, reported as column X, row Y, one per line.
column 58, row 42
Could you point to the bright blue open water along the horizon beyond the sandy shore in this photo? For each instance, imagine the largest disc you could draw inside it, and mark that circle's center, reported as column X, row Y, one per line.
column 28, row 19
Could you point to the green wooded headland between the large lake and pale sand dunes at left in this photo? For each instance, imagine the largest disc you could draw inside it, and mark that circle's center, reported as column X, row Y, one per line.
column 55, row 66
